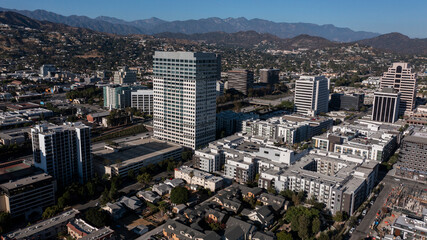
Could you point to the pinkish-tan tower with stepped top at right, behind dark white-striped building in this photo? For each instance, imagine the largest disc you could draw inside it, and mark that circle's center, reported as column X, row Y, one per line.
column 403, row 79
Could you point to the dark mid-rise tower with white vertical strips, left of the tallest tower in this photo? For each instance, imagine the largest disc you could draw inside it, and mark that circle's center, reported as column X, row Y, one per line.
column 63, row 152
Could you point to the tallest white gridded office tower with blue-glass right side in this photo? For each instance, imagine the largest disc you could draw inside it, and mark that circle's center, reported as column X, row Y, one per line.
column 184, row 86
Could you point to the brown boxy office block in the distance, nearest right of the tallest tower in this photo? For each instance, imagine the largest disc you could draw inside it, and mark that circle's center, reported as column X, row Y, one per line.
column 241, row 80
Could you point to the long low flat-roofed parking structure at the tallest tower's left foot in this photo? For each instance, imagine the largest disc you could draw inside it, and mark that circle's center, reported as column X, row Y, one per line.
column 118, row 161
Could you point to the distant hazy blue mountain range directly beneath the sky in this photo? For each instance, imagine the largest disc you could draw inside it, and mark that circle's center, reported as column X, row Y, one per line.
column 228, row 25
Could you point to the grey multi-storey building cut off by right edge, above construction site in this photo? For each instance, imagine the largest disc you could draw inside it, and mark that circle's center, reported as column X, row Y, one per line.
column 413, row 156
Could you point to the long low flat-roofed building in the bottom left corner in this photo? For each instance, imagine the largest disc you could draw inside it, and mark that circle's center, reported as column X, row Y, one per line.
column 47, row 229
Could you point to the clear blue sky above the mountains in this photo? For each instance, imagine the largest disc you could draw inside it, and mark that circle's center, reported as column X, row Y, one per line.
column 382, row 16
